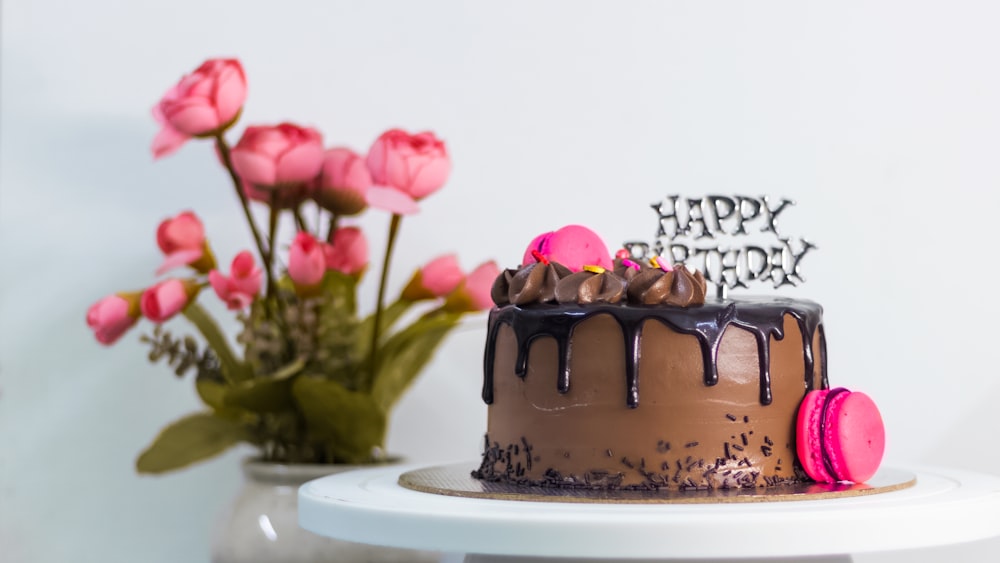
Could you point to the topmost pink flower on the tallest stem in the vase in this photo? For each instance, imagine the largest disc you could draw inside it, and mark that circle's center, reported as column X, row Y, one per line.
column 204, row 102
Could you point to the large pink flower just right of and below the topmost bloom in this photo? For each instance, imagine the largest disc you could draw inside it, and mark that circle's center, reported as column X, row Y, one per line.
column 278, row 157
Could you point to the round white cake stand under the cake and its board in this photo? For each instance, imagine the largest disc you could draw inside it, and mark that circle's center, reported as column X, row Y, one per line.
column 945, row 506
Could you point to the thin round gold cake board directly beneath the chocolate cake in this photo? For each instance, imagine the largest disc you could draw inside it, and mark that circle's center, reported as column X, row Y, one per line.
column 456, row 480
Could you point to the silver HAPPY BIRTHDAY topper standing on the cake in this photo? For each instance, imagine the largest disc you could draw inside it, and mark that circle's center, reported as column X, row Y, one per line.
column 689, row 231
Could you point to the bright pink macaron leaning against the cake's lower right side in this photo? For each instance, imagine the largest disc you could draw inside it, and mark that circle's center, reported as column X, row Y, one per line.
column 841, row 436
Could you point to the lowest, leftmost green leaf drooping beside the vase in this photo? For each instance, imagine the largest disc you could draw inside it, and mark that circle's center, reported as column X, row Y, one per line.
column 191, row 439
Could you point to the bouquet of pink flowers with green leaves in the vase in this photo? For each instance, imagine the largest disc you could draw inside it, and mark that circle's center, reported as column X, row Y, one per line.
column 315, row 381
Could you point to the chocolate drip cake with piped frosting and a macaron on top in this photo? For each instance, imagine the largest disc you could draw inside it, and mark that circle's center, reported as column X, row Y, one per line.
column 608, row 373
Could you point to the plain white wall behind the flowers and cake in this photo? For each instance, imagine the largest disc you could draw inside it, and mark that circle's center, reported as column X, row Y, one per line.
column 881, row 119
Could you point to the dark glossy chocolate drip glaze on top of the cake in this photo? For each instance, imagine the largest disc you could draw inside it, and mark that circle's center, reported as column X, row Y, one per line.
column 764, row 318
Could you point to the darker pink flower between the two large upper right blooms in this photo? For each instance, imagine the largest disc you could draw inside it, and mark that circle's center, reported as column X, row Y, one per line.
column 343, row 182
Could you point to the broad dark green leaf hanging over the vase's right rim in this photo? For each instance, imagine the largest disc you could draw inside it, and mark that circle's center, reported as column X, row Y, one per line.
column 349, row 424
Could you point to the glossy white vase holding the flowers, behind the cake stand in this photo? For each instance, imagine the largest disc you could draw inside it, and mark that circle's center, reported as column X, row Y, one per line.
column 262, row 523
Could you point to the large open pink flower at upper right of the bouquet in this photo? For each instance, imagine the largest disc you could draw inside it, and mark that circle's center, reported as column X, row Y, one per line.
column 417, row 165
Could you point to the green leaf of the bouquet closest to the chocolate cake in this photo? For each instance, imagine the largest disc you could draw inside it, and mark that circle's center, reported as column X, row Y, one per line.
column 403, row 357
